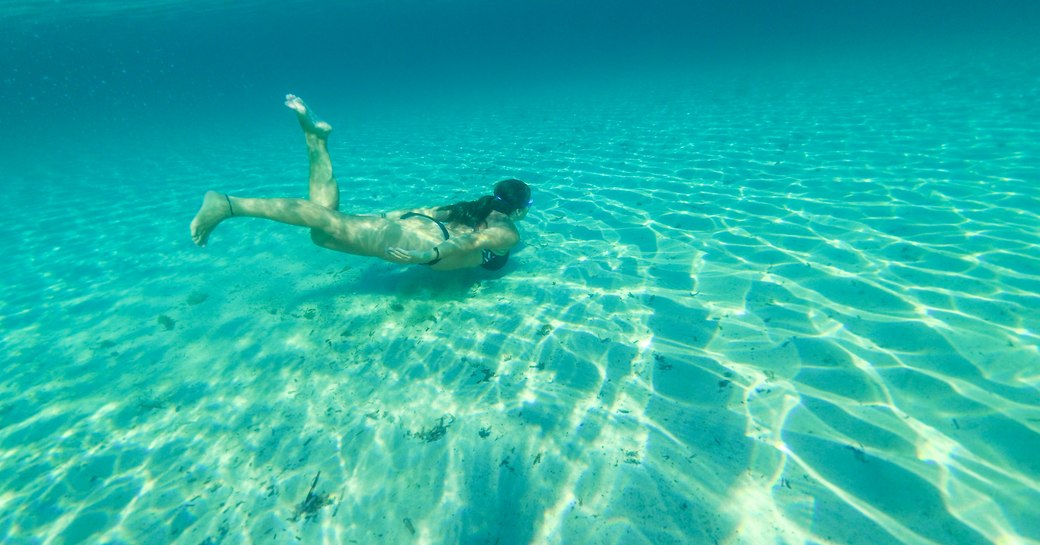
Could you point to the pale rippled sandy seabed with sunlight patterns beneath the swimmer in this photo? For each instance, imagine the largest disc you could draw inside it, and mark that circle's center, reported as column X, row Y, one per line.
column 748, row 312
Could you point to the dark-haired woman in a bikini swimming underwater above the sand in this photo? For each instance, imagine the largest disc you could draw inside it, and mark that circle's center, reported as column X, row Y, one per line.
column 461, row 236
